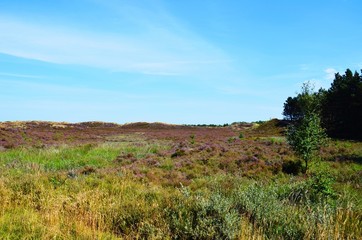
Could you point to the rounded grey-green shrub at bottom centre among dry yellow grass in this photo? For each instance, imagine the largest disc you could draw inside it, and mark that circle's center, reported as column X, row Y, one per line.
column 199, row 216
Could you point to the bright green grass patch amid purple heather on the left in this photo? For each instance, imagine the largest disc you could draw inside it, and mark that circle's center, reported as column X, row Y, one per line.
column 67, row 158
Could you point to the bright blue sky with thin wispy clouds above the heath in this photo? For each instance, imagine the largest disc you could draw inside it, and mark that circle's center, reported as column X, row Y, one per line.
column 215, row 61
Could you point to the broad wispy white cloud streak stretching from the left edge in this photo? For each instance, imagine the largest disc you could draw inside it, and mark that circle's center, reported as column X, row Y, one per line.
column 155, row 47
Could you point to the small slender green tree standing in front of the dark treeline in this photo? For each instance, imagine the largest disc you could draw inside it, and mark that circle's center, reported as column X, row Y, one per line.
column 306, row 136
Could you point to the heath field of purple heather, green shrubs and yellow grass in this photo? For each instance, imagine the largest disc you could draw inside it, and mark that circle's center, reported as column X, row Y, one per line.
column 156, row 181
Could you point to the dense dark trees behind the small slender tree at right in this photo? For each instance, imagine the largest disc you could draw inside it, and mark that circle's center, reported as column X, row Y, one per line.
column 340, row 107
